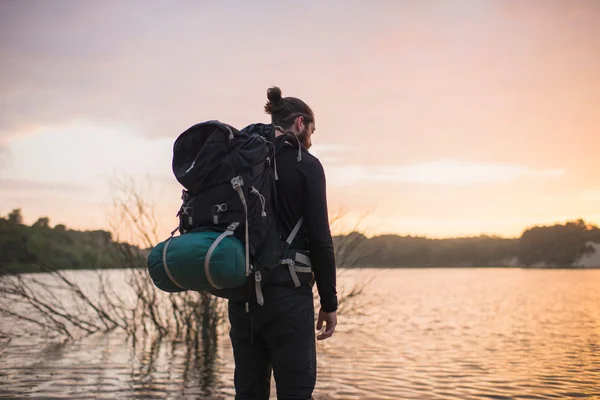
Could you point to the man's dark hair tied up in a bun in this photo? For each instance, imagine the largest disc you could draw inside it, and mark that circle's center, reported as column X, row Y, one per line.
column 284, row 110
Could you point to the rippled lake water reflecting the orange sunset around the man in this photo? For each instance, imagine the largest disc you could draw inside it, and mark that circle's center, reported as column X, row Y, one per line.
column 423, row 334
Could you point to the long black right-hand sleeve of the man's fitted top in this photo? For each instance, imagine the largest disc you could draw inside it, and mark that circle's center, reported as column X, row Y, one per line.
column 320, row 242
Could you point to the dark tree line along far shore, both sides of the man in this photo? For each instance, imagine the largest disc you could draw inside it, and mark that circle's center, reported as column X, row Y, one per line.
column 23, row 248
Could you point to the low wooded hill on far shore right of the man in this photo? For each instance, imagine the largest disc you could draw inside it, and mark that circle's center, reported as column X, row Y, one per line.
column 556, row 246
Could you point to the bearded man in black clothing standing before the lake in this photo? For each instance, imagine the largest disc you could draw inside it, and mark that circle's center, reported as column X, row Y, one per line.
column 279, row 336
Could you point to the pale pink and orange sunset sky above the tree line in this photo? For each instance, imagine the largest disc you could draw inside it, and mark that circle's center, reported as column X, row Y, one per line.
column 437, row 118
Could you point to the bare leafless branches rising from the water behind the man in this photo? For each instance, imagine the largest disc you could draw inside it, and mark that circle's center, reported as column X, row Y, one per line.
column 57, row 303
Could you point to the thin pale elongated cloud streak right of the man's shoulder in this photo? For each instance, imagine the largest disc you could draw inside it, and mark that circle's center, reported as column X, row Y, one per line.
column 442, row 172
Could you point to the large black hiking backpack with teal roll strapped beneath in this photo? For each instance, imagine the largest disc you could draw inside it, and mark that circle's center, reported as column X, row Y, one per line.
column 229, row 242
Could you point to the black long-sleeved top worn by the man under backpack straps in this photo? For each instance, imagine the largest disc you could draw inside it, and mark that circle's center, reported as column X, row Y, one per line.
column 301, row 191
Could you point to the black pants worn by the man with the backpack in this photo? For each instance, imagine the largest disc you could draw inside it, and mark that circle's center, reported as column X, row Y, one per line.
column 278, row 336
